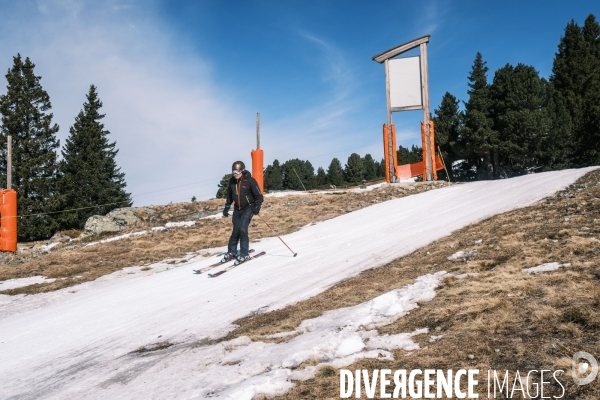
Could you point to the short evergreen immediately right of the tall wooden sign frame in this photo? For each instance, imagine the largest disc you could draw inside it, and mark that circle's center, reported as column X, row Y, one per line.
column 447, row 125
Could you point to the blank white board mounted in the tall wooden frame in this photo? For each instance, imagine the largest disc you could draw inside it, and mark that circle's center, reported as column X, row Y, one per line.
column 405, row 82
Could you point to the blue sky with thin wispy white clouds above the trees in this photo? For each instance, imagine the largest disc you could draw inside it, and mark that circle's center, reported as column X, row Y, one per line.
column 181, row 81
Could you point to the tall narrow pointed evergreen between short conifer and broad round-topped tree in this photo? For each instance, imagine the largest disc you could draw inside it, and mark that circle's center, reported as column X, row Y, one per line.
column 479, row 138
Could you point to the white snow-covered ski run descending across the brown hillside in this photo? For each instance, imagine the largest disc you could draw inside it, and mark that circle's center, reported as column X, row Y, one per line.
column 65, row 345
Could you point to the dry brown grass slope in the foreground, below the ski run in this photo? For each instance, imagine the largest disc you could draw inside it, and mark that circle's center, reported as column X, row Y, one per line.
column 502, row 319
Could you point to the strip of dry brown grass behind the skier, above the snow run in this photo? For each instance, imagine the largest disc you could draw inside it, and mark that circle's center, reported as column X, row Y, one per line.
column 72, row 265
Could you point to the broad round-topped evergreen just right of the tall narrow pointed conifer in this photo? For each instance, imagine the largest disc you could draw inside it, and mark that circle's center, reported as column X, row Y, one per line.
column 518, row 108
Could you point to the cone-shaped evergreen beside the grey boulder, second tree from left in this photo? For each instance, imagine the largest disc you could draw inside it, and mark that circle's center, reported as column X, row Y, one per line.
column 89, row 173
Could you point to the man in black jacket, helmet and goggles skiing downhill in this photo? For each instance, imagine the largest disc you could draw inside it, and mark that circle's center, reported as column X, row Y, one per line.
column 244, row 193
